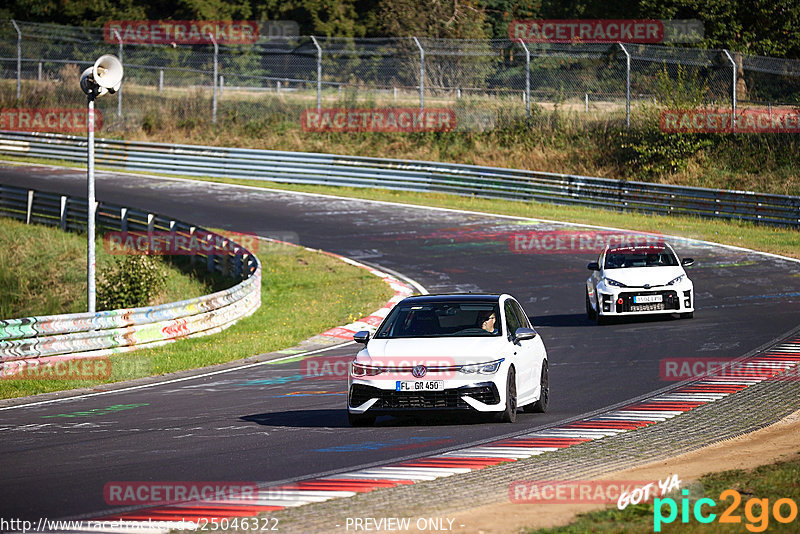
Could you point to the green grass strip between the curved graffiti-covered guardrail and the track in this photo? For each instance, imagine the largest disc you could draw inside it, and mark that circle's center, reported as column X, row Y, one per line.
column 303, row 293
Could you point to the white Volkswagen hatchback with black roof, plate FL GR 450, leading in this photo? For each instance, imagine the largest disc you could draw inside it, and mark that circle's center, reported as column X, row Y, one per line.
column 463, row 352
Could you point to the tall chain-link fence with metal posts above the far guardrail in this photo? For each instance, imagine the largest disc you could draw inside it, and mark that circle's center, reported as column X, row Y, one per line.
column 488, row 83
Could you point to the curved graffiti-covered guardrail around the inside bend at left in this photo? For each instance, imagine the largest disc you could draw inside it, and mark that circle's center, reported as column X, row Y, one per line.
column 108, row 332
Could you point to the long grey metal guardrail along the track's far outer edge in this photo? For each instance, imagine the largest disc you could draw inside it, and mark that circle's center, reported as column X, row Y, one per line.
column 470, row 180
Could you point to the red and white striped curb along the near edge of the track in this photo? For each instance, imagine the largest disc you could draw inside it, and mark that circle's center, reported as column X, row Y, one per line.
column 764, row 366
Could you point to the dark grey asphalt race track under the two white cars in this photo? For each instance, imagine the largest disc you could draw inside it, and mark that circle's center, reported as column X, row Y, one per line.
column 269, row 423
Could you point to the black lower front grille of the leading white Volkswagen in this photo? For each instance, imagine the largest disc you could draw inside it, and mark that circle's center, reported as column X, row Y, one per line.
column 405, row 400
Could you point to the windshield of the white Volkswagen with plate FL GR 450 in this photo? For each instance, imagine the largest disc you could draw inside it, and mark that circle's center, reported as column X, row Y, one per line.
column 440, row 319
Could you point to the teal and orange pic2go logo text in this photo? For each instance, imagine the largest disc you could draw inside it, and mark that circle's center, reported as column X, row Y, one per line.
column 756, row 511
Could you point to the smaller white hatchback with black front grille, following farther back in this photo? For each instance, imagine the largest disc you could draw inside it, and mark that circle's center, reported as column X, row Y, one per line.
column 639, row 280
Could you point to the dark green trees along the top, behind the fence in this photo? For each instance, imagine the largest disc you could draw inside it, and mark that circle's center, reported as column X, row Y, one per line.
column 759, row 27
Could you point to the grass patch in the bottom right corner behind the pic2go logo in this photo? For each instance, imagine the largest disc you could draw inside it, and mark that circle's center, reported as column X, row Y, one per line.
column 771, row 482
